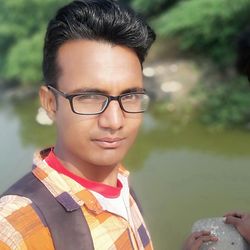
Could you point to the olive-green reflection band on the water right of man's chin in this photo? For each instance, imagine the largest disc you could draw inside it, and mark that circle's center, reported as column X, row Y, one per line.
column 159, row 133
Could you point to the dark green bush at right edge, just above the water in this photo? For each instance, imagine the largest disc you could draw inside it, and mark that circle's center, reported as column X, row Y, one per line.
column 226, row 103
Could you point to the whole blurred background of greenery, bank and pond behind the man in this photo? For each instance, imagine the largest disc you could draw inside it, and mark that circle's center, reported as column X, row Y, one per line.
column 192, row 157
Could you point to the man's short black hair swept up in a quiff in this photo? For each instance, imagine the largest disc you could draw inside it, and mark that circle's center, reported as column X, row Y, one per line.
column 97, row 20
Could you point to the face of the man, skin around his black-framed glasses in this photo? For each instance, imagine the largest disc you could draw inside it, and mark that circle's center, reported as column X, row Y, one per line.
column 103, row 139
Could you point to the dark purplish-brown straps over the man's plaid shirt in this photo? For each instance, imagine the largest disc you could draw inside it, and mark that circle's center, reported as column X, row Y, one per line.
column 69, row 229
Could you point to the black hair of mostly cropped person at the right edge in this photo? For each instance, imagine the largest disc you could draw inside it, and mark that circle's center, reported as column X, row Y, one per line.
column 243, row 53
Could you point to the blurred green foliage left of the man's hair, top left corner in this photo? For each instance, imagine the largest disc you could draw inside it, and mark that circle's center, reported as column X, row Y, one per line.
column 22, row 28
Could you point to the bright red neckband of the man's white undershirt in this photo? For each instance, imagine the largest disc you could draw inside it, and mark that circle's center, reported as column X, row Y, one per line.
column 103, row 189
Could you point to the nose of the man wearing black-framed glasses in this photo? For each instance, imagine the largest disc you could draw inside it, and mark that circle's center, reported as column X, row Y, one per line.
column 113, row 117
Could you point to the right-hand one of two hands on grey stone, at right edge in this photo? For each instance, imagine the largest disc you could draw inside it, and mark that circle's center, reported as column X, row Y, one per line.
column 241, row 221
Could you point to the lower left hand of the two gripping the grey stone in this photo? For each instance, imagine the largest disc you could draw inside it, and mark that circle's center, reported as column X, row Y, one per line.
column 196, row 239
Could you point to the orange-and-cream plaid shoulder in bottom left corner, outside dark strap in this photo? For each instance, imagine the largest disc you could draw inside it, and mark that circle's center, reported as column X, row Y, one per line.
column 20, row 224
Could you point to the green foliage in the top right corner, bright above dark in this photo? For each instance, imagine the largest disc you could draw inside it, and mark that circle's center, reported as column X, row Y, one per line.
column 208, row 27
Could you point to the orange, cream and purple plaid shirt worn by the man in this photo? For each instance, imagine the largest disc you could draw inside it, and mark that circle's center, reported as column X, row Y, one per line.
column 22, row 228
